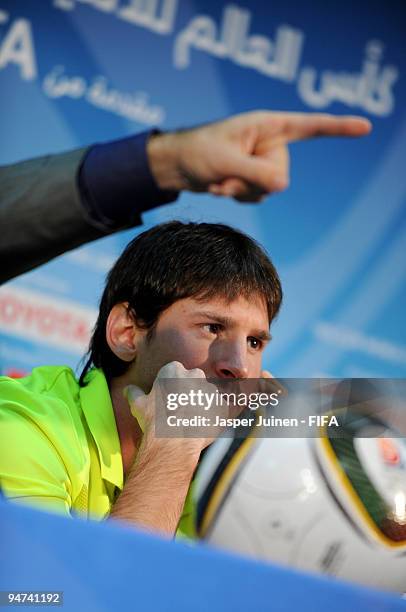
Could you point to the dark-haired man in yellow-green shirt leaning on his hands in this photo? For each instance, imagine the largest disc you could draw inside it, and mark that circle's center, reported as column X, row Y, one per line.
column 188, row 300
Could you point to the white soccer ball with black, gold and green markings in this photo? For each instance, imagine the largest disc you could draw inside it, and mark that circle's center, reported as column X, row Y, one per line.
column 330, row 505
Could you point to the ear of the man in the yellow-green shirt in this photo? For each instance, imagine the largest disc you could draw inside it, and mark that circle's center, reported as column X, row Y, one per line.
column 122, row 332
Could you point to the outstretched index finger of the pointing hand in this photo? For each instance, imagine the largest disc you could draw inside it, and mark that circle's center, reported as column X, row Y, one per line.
column 300, row 126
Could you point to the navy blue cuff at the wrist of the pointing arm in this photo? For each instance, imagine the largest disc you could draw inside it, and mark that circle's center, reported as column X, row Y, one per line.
column 116, row 184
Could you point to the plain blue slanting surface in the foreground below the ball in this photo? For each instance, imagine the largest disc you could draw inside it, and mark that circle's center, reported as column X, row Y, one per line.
column 104, row 567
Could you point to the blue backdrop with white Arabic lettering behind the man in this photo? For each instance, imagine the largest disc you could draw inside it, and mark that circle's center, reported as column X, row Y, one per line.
column 73, row 72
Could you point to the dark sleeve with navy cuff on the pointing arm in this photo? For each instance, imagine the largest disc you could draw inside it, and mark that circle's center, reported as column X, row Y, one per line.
column 50, row 205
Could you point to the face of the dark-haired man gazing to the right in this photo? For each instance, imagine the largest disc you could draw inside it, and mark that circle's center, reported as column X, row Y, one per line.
column 223, row 339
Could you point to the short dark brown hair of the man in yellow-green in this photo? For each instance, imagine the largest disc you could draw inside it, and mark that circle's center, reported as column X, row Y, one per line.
column 178, row 260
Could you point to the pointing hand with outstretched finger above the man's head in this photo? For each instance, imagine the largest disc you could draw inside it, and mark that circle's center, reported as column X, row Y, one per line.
column 245, row 157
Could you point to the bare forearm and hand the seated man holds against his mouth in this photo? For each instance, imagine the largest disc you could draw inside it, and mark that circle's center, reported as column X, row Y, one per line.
column 159, row 477
